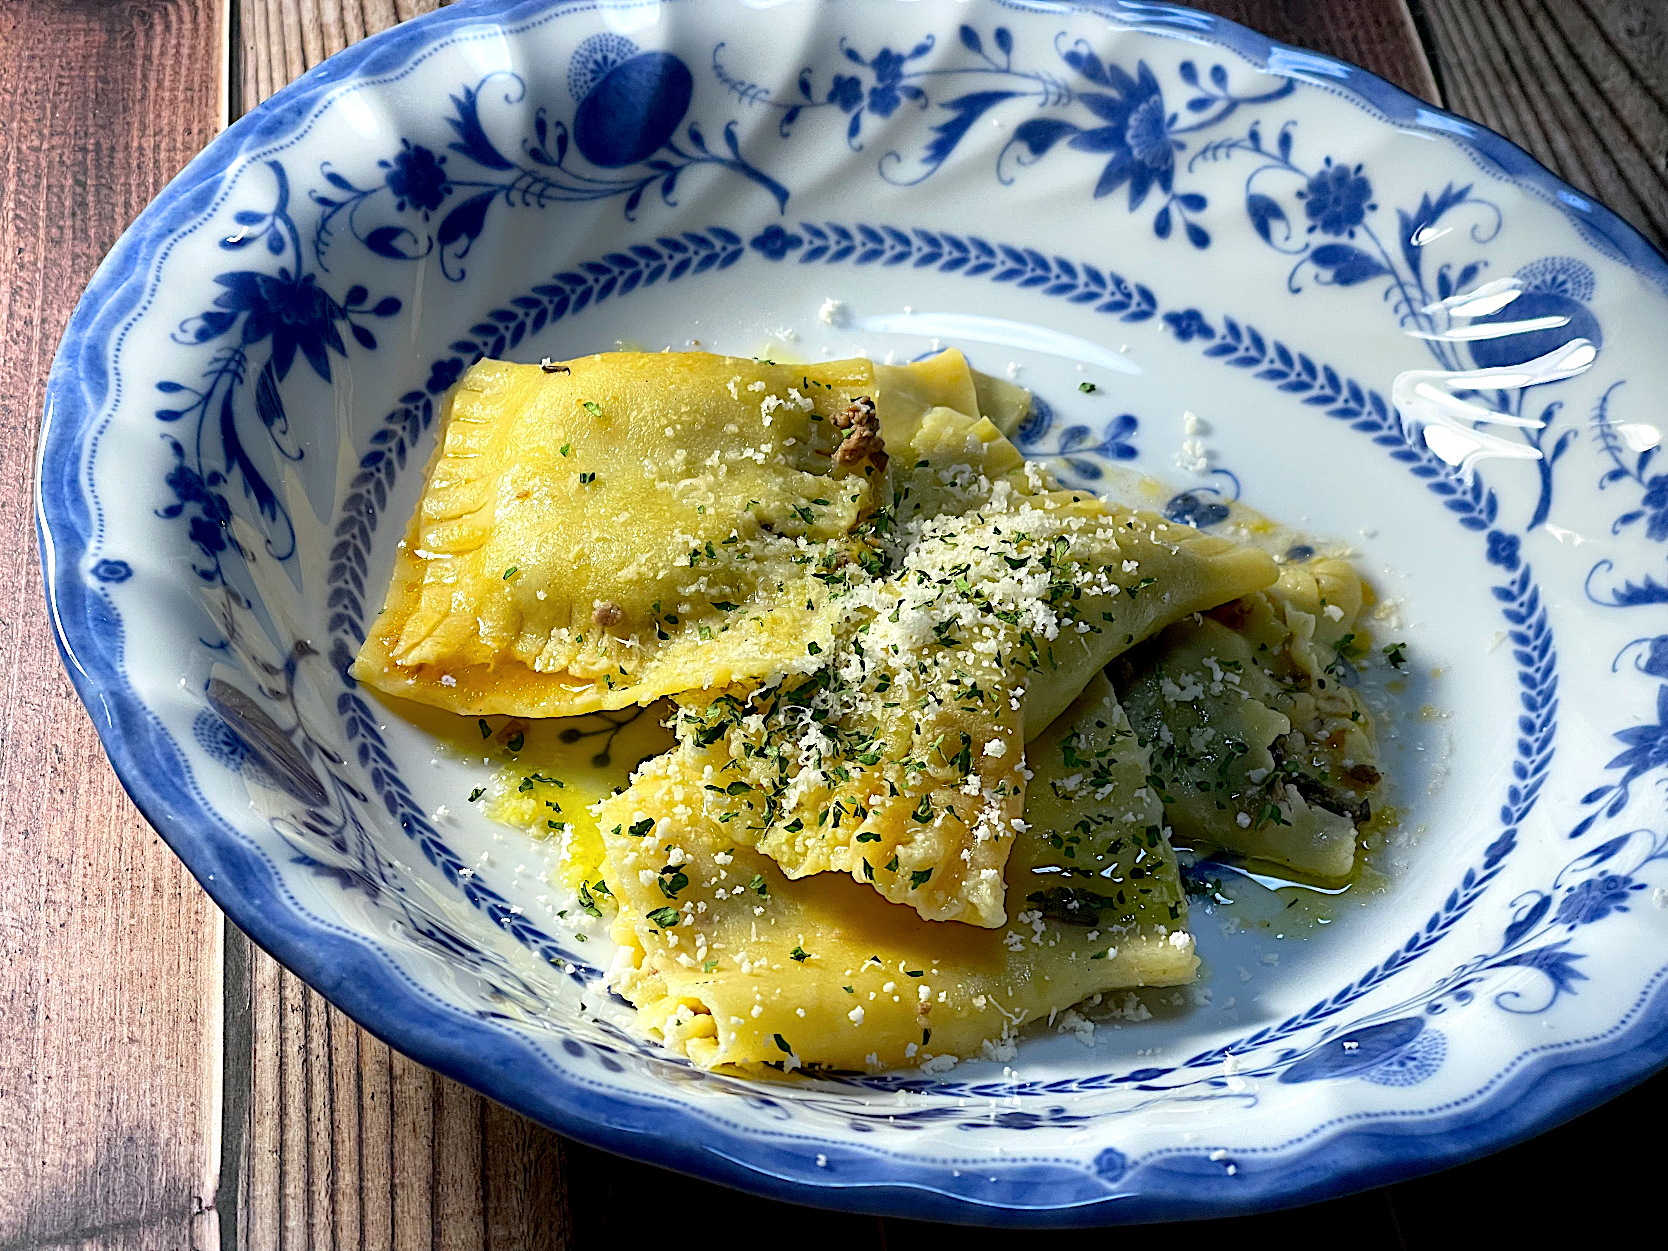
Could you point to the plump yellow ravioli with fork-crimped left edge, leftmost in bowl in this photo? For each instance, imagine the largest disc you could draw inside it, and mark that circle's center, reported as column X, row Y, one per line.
column 620, row 528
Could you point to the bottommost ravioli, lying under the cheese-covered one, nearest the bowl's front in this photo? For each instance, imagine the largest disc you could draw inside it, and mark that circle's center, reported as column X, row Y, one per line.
column 735, row 963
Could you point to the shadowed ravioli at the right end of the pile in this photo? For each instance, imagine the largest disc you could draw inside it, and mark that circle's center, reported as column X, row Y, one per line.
column 1254, row 728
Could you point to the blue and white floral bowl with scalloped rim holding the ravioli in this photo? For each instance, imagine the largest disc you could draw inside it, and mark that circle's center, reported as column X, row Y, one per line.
column 1140, row 196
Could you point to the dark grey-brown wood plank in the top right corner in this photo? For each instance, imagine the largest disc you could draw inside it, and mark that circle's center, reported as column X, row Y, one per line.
column 1582, row 84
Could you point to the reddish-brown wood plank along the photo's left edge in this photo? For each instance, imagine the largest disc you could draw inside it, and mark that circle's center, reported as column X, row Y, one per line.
column 109, row 952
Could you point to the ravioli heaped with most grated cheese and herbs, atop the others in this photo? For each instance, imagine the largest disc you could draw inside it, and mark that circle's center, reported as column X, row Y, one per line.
column 895, row 751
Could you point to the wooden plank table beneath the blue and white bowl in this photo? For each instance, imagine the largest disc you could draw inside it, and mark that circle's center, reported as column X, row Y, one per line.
column 168, row 1085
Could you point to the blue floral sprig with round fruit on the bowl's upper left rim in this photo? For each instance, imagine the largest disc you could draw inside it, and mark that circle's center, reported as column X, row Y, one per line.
column 628, row 138
